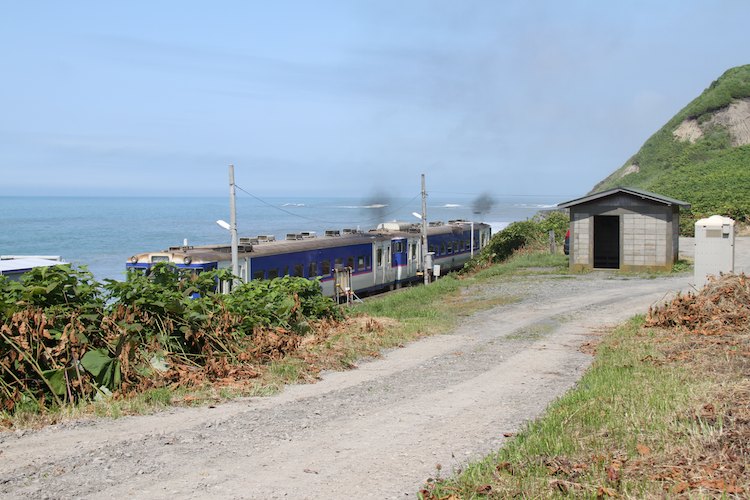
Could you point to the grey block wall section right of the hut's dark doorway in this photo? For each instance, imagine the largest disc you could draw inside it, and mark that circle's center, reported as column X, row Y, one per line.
column 644, row 240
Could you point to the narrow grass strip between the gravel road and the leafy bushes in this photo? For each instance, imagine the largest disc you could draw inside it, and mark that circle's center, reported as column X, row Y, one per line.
column 382, row 322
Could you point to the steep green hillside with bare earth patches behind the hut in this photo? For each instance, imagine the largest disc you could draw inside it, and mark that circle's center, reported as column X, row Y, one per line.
column 701, row 156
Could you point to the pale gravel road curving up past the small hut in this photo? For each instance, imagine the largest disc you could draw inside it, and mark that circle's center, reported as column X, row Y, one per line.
column 374, row 432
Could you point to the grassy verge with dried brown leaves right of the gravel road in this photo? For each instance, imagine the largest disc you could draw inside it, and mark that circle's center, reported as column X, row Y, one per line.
column 659, row 413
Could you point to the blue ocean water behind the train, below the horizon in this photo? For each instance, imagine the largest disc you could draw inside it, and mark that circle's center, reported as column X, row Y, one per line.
column 102, row 233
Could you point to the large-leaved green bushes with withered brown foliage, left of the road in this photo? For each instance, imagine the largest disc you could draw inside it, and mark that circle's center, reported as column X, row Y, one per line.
column 65, row 339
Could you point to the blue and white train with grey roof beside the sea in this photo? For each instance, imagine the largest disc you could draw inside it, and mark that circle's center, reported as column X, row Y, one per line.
column 344, row 261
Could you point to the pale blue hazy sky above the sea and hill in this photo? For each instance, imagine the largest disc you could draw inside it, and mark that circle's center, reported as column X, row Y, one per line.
column 345, row 98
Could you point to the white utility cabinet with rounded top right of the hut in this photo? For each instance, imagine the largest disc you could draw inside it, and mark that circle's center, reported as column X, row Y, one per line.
column 714, row 248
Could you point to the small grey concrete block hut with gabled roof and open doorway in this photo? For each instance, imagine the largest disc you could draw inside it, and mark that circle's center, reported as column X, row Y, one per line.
column 624, row 228
